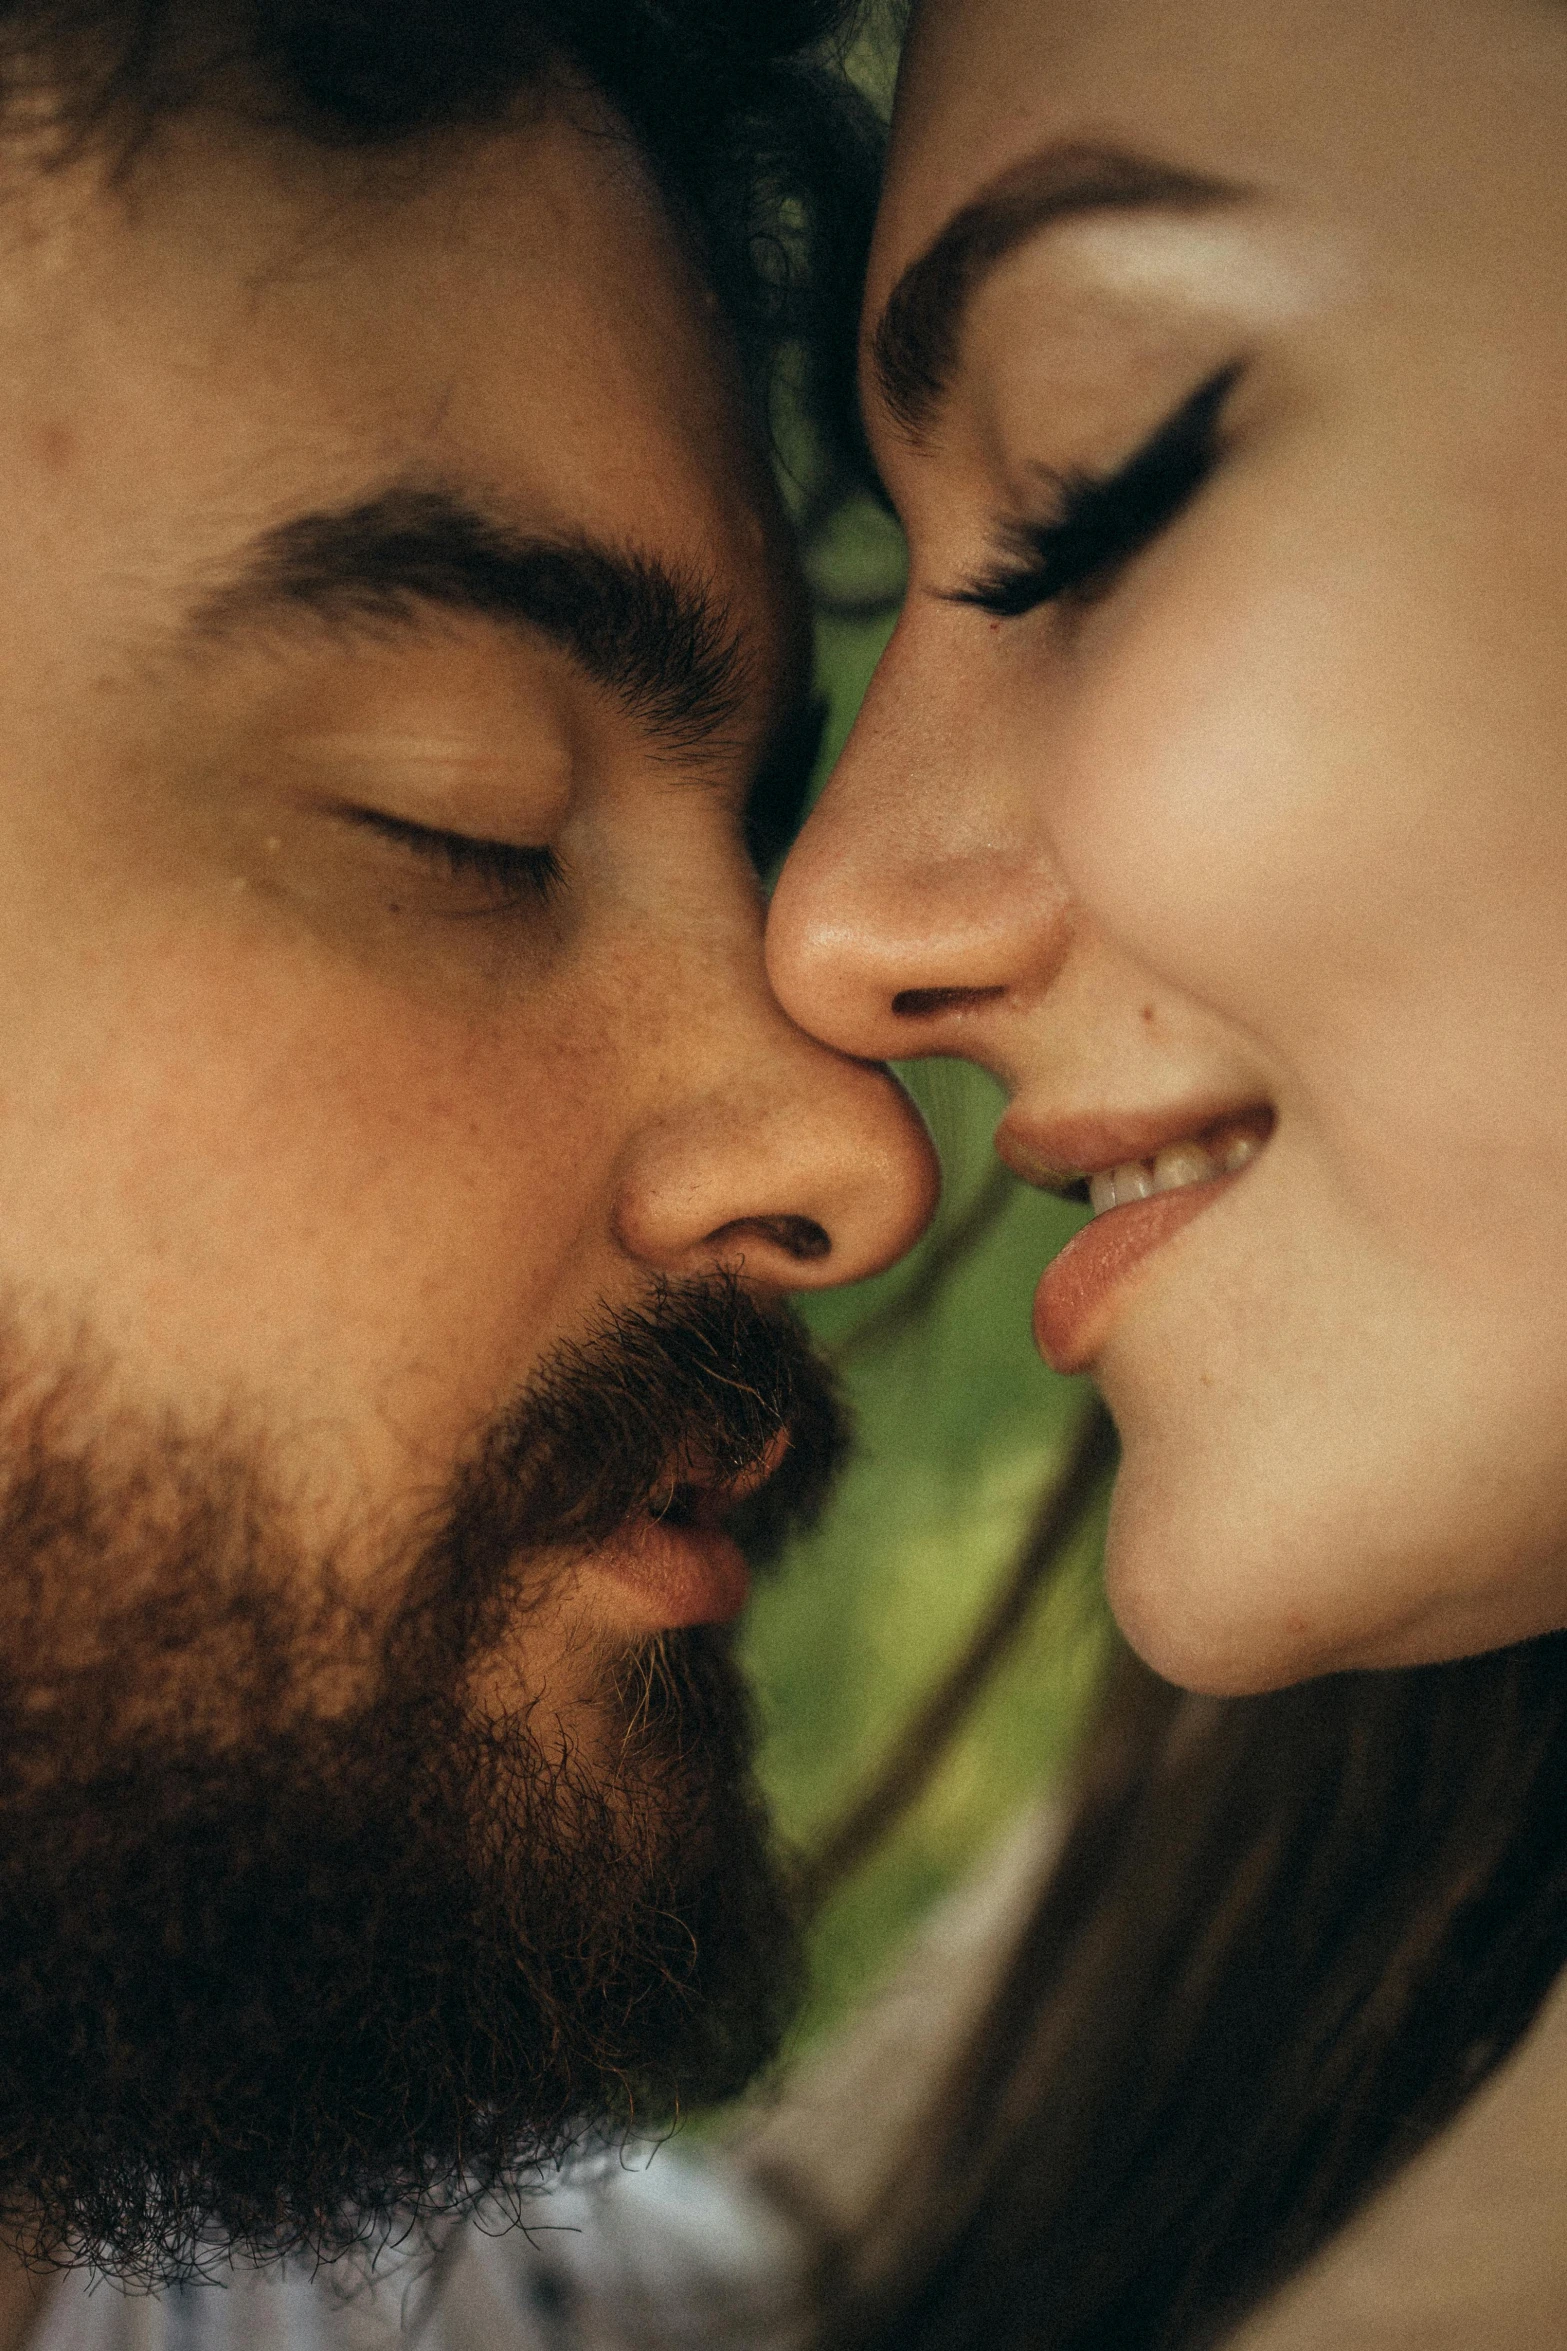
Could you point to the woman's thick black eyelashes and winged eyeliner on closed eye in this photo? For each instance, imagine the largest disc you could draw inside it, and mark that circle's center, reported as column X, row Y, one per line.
column 1105, row 521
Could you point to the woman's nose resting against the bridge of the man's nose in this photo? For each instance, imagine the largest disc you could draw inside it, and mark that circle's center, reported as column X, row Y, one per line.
column 920, row 911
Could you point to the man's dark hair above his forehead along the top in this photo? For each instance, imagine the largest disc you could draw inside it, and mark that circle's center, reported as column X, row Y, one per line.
column 758, row 138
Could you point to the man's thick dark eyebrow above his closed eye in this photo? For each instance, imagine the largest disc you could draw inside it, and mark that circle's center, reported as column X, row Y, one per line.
column 647, row 631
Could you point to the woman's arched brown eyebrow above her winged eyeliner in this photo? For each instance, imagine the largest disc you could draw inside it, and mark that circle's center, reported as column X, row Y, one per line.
column 920, row 333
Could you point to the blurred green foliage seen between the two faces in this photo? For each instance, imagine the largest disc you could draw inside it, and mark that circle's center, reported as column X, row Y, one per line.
column 960, row 1431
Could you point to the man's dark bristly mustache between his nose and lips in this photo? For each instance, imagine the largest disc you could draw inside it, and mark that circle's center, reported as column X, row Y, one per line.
column 666, row 1407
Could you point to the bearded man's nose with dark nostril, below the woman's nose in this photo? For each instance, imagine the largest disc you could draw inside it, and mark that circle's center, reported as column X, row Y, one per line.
column 772, row 1153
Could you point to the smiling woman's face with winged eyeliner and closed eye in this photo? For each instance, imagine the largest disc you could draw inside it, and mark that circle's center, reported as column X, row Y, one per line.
column 1213, row 789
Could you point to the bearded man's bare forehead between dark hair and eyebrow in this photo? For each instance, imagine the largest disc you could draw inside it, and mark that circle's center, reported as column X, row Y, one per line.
column 229, row 342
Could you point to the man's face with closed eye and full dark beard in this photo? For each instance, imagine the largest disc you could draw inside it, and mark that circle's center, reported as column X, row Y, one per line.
column 394, row 629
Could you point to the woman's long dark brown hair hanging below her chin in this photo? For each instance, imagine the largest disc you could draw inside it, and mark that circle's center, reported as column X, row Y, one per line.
column 1286, row 1938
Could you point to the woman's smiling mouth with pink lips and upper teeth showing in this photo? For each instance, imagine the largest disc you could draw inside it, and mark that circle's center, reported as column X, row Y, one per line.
column 1138, row 1203
